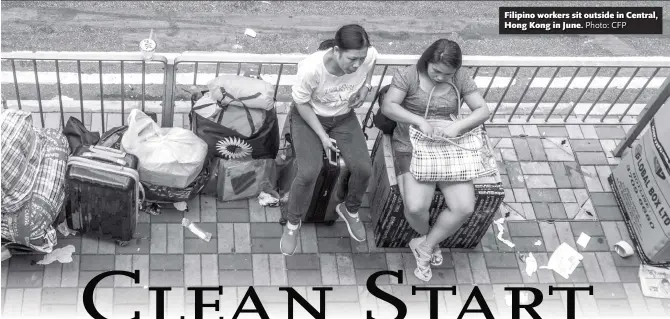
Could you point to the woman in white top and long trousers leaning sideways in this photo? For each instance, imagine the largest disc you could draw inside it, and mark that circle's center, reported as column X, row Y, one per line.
column 331, row 84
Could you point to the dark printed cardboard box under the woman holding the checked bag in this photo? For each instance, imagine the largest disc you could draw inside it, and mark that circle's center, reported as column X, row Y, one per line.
column 392, row 230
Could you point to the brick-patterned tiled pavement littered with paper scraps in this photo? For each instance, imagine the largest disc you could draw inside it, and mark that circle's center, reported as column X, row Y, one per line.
column 555, row 182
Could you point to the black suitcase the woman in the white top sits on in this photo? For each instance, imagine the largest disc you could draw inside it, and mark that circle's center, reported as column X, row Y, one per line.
column 330, row 188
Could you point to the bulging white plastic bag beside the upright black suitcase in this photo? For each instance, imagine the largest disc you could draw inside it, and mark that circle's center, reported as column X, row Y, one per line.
column 171, row 157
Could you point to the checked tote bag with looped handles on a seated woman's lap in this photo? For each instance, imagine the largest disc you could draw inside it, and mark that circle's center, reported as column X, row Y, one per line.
column 440, row 159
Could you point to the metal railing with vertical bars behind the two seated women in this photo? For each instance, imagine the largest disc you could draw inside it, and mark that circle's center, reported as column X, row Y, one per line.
column 519, row 90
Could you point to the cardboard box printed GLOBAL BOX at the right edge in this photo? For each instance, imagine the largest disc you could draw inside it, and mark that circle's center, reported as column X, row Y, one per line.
column 641, row 185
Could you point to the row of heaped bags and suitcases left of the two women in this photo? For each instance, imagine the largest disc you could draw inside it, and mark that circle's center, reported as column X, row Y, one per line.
column 99, row 184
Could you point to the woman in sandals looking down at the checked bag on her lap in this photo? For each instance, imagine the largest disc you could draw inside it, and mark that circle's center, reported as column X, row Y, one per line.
column 405, row 102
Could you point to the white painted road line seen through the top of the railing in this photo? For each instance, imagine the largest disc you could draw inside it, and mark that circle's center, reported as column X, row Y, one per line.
column 24, row 77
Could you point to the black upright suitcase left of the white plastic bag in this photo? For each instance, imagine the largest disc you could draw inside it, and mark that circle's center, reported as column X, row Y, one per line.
column 104, row 195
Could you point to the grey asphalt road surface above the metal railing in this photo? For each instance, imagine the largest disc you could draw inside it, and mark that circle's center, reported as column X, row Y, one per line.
column 297, row 27
